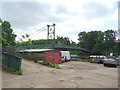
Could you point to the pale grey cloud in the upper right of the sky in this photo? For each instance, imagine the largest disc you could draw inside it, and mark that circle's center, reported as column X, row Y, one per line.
column 96, row 10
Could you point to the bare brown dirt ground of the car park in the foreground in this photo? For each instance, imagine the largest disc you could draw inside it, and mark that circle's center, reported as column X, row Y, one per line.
column 71, row 75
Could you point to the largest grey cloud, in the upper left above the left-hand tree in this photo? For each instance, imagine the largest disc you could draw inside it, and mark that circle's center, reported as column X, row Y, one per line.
column 24, row 14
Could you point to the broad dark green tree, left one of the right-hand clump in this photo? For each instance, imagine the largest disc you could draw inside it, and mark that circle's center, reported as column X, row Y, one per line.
column 92, row 41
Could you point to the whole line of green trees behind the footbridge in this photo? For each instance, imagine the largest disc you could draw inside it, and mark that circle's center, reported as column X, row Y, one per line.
column 97, row 42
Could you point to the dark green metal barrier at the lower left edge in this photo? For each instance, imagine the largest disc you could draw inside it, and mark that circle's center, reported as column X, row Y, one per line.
column 11, row 62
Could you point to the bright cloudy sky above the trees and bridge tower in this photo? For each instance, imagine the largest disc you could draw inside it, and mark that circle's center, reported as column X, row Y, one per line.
column 70, row 16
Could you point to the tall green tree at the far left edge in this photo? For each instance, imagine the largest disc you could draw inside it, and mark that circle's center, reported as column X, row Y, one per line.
column 8, row 36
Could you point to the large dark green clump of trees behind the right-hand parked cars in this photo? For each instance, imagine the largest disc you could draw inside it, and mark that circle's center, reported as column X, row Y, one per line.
column 99, row 42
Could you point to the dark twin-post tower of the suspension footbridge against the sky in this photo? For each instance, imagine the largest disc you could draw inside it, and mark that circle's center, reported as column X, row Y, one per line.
column 51, row 33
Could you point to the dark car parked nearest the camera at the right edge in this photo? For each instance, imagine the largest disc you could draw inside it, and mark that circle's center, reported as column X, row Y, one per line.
column 110, row 62
